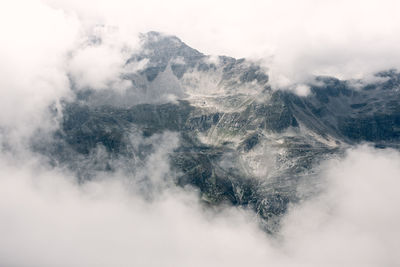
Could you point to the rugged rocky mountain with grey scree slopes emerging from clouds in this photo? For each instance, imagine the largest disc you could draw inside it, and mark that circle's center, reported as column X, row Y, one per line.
column 239, row 142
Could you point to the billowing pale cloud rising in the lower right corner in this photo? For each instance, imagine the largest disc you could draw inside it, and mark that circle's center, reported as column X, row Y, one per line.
column 355, row 221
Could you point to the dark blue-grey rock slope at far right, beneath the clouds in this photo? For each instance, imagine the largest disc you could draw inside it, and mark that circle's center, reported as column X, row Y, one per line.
column 369, row 114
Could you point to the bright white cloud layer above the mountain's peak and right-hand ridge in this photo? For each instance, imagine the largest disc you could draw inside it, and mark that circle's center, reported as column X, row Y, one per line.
column 296, row 38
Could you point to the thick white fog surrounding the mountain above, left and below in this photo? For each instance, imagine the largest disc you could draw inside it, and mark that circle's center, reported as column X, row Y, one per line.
column 48, row 218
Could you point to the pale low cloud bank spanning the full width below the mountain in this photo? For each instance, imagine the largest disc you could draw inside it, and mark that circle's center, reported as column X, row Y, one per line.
column 48, row 219
